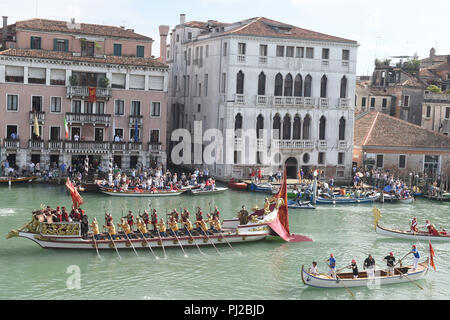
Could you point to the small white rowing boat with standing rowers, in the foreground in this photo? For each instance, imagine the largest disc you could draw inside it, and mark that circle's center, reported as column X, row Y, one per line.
column 345, row 280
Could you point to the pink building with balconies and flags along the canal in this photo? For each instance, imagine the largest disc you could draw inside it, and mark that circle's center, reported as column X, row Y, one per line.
column 100, row 82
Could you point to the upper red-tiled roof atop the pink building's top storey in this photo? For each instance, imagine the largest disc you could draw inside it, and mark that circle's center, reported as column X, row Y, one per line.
column 79, row 28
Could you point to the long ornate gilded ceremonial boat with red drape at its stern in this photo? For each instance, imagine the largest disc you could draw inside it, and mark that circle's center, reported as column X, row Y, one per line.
column 273, row 220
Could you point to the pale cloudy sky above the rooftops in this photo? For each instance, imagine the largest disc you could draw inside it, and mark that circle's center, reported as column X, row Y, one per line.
column 382, row 28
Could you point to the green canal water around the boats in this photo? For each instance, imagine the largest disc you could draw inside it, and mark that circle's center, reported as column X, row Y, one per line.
column 267, row 270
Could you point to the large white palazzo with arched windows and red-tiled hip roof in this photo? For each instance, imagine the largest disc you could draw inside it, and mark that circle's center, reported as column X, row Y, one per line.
column 259, row 74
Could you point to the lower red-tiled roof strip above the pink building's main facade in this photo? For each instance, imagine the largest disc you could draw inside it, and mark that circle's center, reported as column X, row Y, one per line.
column 56, row 55
